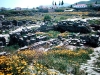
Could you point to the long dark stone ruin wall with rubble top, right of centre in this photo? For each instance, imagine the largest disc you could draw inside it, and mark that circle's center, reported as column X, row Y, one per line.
column 73, row 26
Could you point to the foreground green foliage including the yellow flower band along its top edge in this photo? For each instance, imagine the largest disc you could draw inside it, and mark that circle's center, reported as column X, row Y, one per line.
column 61, row 60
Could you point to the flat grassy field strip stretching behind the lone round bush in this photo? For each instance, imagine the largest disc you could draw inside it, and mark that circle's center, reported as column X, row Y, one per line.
column 59, row 16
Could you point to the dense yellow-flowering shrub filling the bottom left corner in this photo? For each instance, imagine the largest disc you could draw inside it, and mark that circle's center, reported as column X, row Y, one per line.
column 12, row 65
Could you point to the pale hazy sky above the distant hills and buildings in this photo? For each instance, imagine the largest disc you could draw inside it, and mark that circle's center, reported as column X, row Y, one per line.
column 31, row 3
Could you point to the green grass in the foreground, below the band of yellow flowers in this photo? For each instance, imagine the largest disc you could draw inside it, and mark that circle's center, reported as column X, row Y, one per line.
column 62, row 62
